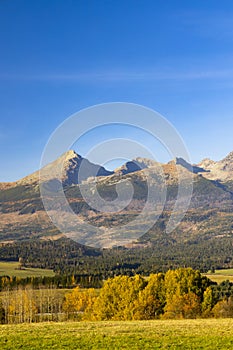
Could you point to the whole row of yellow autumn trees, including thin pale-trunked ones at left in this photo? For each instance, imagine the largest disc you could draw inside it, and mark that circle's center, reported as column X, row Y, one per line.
column 176, row 294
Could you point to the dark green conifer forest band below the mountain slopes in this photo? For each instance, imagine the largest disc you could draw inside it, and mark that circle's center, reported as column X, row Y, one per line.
column 66, row 257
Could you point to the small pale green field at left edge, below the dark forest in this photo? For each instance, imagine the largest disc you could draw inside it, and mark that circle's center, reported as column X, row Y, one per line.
column 11, row 269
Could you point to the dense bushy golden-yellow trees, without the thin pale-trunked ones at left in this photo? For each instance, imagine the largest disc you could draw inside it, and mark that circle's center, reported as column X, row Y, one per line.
column 178, row 294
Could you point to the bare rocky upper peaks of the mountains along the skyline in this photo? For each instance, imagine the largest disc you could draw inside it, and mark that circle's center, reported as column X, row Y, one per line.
column 214, row 170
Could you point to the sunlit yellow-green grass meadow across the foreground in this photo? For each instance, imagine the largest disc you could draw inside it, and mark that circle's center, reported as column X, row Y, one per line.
column 184, row 334
